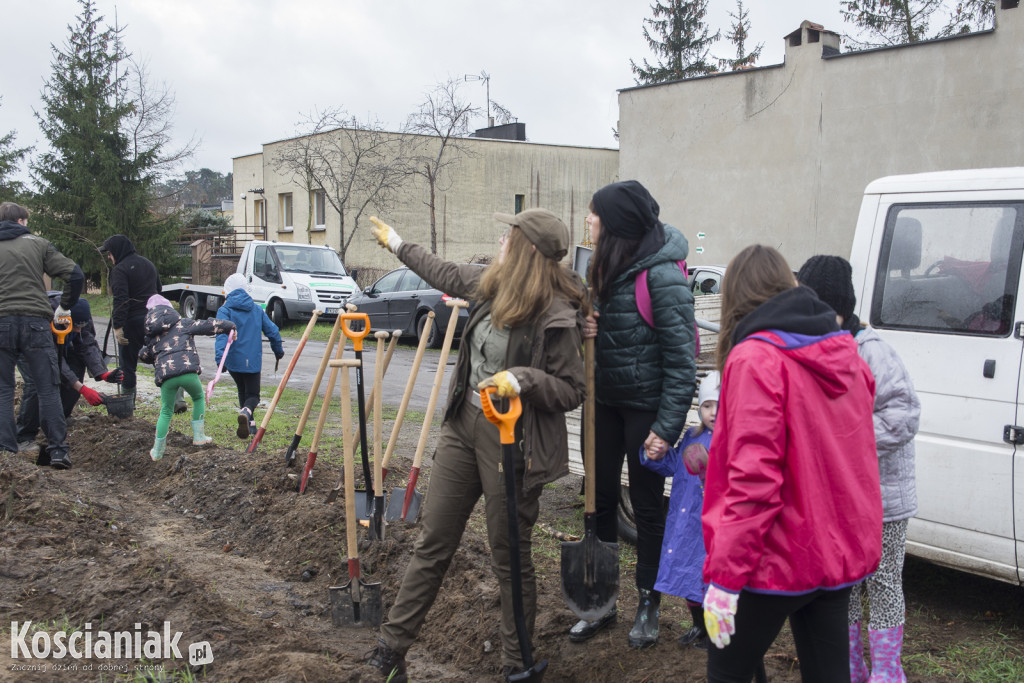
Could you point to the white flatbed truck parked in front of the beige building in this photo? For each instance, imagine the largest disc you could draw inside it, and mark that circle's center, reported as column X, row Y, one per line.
column 290, row 281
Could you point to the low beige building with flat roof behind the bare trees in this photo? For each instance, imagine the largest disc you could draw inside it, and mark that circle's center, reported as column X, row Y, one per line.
column 487, row 181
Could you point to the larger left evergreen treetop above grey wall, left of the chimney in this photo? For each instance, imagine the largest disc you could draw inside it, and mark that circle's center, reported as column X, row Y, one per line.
column 680, row 41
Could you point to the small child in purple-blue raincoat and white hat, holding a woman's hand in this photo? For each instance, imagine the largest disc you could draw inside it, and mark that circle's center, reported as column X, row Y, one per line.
column 681, row 567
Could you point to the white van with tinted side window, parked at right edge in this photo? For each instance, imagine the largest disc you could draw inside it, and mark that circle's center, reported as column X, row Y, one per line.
column 937, row 271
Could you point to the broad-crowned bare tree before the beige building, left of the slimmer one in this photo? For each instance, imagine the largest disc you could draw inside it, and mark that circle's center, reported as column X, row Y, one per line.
column 357, row 164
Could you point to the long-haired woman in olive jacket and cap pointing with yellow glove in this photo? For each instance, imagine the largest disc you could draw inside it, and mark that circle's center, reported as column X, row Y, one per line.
column 524, row 337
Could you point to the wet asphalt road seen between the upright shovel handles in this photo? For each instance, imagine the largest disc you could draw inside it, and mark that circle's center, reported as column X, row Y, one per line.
column 309, row 363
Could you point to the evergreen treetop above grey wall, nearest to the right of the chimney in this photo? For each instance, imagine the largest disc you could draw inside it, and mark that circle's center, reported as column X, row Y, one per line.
column 884, row 23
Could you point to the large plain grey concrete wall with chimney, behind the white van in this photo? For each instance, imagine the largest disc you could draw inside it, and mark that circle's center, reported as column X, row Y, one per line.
column 782, row 155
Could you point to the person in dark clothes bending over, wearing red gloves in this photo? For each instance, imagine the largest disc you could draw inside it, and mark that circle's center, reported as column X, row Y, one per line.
column 81, row 354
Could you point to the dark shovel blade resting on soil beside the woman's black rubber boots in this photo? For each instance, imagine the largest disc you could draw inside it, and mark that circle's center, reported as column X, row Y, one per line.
column 590, row 576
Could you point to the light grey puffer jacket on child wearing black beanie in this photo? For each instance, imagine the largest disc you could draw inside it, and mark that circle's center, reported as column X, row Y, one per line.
column 898, row 416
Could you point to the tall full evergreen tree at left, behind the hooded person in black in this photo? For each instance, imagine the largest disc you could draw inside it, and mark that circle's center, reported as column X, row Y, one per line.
column 96, row 180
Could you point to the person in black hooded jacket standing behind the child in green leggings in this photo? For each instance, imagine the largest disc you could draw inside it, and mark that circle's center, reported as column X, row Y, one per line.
column 133, row 282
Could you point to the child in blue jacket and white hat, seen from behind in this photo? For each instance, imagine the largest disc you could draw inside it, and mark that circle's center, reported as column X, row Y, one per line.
column 245, row 358
